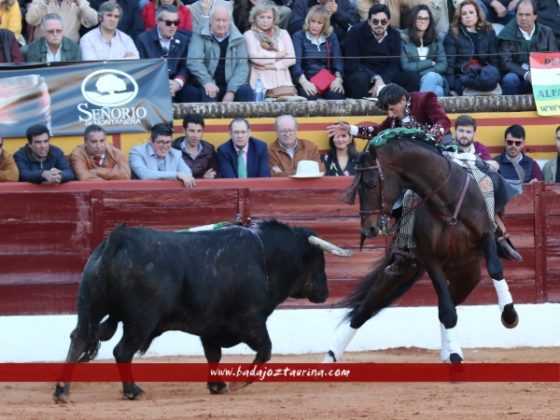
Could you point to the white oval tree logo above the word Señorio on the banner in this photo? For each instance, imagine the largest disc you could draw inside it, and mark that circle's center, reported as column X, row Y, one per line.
column 109, row 87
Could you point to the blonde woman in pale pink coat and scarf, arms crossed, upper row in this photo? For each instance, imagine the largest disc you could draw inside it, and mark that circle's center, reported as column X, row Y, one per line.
column 270, row 49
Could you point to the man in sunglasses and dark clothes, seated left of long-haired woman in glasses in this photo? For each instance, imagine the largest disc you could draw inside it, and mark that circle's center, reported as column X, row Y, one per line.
column 373, row 49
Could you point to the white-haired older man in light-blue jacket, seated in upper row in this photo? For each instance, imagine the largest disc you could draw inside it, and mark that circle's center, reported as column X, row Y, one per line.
column 217, row 59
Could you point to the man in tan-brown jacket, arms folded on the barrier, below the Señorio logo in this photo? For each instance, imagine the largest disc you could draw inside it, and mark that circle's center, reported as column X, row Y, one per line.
column 97, row 160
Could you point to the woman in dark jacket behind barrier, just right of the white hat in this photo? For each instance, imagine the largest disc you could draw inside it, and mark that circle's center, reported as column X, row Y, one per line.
column 341, row 159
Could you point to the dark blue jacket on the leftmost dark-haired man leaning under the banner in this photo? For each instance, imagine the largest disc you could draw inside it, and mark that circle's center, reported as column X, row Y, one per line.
column 30, row 169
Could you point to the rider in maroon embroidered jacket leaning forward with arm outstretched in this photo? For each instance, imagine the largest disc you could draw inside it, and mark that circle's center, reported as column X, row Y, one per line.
column 410, row 110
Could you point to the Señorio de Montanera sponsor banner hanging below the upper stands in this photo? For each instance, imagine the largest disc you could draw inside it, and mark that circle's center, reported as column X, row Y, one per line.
column 121, row 96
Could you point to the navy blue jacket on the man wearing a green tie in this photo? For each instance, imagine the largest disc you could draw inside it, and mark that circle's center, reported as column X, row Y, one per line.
column 257, row 159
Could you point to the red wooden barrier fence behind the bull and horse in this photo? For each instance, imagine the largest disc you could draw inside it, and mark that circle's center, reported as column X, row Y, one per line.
column 48, row 232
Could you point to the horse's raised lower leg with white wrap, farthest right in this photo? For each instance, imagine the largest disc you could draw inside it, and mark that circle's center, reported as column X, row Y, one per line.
column 510, row 319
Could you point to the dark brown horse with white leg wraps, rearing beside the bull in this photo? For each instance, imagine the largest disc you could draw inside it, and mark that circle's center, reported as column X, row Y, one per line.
column 452, row 231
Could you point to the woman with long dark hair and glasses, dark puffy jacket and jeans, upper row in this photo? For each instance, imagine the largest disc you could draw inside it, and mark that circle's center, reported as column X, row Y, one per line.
column 423, row 53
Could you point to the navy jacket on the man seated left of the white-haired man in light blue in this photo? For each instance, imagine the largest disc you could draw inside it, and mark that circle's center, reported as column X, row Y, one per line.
column 149, row 47
